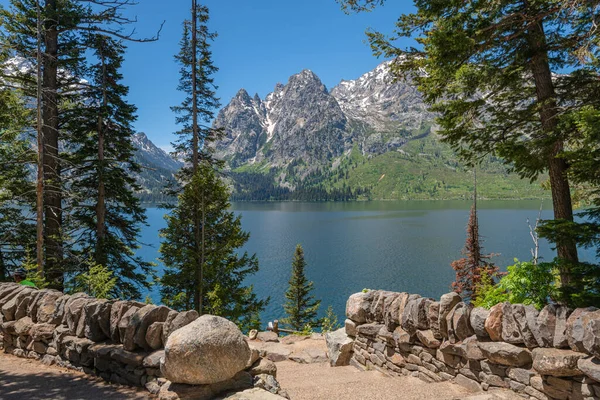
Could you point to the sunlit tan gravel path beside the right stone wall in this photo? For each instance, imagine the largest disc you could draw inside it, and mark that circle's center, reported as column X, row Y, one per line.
column 320, row 381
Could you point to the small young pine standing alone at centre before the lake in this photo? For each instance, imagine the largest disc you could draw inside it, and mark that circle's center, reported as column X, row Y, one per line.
column 301, row 307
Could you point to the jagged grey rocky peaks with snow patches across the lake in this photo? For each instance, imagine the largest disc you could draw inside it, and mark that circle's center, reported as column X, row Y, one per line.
column 302, row 120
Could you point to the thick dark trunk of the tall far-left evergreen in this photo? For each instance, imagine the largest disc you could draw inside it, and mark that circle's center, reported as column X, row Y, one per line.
column 52, row 183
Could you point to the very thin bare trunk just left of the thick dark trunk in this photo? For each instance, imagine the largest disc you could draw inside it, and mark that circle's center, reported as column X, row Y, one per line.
column 40, row 155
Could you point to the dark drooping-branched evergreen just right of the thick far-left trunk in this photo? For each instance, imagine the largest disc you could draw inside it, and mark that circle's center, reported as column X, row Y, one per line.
column 105, row 212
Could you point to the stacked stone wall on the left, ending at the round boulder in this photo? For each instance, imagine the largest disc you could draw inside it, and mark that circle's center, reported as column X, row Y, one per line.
column 120, row 341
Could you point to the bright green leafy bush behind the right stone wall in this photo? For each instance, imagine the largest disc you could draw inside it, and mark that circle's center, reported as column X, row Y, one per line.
column 524, row 283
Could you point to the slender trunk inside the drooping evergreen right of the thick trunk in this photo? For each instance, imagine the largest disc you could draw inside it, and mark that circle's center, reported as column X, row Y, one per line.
column 101, row 202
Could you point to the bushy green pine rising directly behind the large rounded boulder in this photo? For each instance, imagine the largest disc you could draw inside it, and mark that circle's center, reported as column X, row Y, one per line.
column 222, row 280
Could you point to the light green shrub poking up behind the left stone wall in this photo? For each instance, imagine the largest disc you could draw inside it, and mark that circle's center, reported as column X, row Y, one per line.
column 98, row 281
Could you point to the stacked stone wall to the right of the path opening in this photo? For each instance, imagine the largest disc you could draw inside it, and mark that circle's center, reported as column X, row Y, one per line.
column 551, row 354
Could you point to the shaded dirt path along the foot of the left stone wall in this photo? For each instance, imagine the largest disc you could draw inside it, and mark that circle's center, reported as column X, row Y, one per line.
column 23, row 379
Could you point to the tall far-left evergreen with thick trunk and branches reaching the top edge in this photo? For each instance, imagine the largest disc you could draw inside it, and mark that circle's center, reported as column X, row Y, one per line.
column 62, row 27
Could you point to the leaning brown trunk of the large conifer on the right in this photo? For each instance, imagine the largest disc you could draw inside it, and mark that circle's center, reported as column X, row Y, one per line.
column 557, row 167
